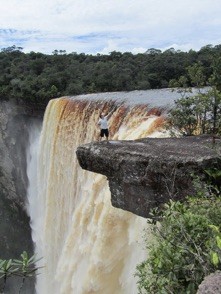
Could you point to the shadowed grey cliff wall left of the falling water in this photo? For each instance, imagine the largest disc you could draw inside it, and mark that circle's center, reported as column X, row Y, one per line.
column 15, row 228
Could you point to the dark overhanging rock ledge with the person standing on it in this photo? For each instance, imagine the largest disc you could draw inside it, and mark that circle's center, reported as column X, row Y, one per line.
column 146, row 173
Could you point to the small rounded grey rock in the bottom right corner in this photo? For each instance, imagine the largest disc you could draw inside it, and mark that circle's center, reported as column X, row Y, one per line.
column 211, row 284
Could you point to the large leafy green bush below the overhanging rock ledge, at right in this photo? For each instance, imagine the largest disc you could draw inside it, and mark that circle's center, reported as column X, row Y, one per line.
column 185, row 246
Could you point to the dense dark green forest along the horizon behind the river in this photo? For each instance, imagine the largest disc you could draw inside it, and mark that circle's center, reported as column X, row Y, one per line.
column 36, row 78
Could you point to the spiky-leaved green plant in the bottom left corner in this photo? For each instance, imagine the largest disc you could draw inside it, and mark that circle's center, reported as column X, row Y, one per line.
column 24, row 268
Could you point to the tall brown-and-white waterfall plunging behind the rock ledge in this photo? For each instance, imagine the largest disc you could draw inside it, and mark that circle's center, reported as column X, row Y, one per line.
column 86, row 245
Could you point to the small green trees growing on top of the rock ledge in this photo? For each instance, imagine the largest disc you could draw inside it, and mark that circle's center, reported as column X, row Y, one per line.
column 198, row 114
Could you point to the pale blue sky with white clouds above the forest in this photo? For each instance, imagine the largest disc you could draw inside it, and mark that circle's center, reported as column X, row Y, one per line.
column 101, row 26
